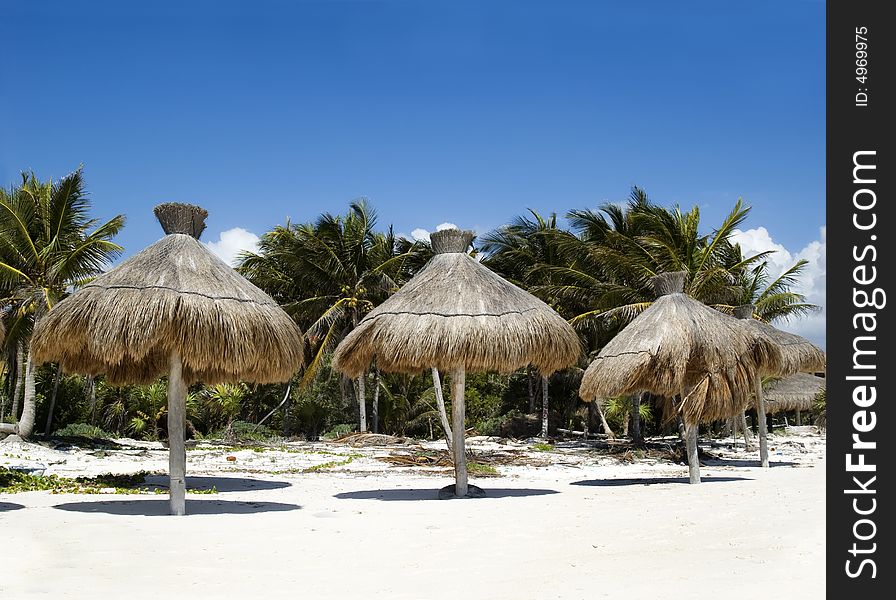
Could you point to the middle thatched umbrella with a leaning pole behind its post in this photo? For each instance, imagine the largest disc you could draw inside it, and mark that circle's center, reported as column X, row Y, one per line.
column 457, row 314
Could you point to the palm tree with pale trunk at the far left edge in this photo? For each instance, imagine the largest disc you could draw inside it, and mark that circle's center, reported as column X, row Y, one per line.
column 48, row 244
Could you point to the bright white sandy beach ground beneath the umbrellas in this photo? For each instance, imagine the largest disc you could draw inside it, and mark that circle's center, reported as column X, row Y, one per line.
column 573, row 523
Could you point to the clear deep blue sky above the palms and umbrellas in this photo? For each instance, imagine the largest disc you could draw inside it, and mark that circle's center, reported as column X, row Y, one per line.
column 462, row 112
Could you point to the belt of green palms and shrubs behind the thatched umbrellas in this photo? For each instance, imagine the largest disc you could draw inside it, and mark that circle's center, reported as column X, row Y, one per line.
column 592, row 266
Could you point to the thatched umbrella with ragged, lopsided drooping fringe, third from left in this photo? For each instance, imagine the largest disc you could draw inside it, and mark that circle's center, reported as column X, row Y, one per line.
column 681, row 347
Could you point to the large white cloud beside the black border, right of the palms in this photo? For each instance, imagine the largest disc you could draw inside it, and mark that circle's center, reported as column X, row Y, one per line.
column 811, row 283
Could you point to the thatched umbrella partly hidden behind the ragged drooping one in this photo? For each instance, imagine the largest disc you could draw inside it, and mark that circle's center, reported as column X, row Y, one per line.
column 797, row 355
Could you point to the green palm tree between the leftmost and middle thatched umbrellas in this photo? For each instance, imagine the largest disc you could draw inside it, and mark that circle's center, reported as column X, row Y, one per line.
column 329, row 274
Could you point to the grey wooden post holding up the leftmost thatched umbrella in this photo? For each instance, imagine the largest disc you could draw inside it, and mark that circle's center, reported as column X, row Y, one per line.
column 177, row 420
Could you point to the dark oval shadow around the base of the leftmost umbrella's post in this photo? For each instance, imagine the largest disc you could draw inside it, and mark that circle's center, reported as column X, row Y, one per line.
column 161, row 507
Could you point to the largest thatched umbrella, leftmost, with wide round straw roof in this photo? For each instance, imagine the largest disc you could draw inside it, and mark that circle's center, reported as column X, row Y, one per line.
column 177, row 309
